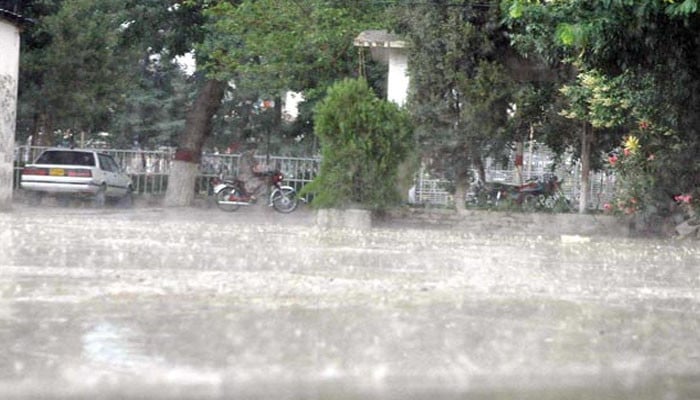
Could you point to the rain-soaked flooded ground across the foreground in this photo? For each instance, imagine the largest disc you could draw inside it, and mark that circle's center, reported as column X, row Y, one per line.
column 196, row 303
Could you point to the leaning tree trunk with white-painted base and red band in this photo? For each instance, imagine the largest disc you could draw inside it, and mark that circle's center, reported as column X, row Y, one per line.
column 185, row 165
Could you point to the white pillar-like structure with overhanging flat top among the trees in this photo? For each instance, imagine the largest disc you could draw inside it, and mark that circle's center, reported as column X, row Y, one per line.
column 389, row 49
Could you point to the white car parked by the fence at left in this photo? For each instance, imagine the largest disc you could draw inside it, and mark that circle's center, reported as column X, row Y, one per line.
column 69, row 172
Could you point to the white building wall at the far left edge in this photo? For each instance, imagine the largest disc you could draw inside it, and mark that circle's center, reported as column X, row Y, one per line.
column 9, row 71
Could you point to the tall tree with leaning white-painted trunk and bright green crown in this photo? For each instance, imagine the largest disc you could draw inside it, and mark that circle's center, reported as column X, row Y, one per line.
column 270, row 45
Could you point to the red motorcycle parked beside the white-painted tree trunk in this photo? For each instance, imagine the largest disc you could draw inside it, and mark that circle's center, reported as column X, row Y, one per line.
column 231, row 194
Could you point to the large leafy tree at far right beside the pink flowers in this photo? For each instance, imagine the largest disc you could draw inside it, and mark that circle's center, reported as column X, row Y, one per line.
column 651, row 50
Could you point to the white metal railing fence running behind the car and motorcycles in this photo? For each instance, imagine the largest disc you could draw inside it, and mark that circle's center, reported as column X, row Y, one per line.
column 149, row 171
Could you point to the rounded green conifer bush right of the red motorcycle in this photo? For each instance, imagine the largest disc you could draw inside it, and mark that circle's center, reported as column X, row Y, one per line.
column 363, row 140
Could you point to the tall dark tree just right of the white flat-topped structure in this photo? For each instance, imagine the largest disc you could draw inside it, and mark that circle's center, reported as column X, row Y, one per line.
column 460, row 88
